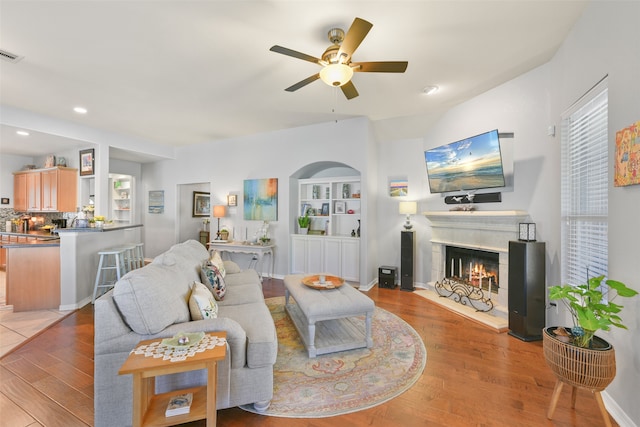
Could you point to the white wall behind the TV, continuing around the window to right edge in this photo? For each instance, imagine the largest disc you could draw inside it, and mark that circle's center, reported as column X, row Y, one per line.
column 605, row 41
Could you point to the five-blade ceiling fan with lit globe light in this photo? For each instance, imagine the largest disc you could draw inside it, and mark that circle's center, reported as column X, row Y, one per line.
column 337, row 67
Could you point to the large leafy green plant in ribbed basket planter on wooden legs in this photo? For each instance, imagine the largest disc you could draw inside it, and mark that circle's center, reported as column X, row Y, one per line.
column 576, row 355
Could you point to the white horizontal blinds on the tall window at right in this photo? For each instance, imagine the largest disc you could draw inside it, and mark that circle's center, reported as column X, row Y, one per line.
column 585, row 182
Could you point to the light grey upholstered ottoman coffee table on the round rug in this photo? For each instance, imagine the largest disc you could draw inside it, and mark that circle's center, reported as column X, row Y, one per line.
column 329, row 320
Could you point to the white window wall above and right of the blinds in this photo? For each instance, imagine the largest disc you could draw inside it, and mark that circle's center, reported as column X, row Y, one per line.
column 606, row 40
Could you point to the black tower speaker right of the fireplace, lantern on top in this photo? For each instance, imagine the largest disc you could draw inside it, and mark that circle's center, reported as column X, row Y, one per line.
column 526, row 290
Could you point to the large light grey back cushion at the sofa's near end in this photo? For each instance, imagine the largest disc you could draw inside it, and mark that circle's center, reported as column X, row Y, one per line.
column 153, row 297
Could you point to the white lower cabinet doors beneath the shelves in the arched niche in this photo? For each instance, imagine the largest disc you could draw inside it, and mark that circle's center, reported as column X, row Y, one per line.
column 335, row 255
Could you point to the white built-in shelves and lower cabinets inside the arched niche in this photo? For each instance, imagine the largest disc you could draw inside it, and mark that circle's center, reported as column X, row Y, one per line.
column 331, row 246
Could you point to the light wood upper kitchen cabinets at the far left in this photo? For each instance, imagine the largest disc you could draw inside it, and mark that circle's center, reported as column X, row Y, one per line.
column 46, row 190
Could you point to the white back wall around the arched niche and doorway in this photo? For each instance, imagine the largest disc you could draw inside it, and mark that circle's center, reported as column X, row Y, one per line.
column 226, row 164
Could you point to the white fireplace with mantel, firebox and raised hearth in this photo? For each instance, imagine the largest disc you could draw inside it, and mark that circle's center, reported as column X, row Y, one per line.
column 479, row 238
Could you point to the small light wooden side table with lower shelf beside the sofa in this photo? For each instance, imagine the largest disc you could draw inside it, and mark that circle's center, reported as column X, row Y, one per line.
column 149, row 408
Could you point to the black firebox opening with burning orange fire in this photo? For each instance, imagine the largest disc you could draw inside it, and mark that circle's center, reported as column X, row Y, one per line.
column 473, row 267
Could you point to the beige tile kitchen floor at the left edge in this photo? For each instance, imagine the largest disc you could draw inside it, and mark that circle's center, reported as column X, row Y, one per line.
column 16, row 328
